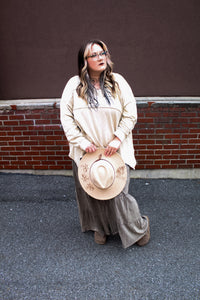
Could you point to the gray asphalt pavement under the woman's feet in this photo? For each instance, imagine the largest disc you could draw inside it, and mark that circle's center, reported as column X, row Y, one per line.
column 44, row 255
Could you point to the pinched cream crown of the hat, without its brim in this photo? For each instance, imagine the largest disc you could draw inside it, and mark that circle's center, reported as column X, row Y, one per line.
column 102, row 174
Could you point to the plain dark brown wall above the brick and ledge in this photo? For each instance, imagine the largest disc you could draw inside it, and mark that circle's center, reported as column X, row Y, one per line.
column 154, row 44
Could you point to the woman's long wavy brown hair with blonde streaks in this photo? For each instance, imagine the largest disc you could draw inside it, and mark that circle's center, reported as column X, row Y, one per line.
column 108, row 85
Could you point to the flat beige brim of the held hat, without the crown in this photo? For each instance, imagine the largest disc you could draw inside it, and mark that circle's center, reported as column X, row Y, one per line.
column 119, row 179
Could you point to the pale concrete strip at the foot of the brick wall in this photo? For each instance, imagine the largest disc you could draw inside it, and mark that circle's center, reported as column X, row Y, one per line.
column 138, row 174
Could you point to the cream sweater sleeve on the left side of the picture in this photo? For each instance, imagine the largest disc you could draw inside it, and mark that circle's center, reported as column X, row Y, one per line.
column 70, row 127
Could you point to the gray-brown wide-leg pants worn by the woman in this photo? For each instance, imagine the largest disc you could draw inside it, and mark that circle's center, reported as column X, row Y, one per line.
column 118, row 215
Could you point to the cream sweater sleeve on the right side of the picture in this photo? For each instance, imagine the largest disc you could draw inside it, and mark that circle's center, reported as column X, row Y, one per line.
column 129, row 109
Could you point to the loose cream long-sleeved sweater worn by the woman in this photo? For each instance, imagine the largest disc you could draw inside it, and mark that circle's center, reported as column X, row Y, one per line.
column 83, row 125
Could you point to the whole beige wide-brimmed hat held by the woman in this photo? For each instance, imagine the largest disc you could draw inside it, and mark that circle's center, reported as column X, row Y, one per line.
column 102, row 177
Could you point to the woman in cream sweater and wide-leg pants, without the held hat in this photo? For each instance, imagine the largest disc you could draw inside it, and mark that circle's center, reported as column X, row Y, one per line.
column 98, row 110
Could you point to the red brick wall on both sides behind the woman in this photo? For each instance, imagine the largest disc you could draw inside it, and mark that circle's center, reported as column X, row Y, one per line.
column 167, row 136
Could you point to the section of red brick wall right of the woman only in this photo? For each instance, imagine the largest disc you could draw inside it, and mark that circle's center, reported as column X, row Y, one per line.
column 167, row 136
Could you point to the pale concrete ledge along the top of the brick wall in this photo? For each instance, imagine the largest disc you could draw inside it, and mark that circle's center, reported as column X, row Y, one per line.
column 55, row 103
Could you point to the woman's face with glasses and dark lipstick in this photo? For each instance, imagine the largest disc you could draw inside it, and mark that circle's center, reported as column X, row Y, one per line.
column 96, row 64
